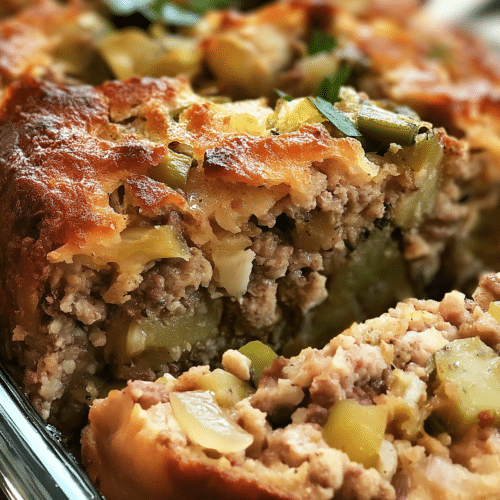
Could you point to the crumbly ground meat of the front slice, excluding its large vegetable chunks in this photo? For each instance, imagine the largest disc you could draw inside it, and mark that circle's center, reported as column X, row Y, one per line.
column 143, row 452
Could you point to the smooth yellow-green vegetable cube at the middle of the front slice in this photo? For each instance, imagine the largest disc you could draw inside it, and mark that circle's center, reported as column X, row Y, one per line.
column 356, row 430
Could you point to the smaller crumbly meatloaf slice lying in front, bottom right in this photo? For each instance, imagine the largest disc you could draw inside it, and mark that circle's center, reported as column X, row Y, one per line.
column 404, row 406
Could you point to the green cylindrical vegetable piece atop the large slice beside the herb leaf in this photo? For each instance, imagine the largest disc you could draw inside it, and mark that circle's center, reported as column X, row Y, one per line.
column 387, row 127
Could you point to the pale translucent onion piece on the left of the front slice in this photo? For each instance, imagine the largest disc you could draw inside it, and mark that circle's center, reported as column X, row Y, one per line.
column 202, row 419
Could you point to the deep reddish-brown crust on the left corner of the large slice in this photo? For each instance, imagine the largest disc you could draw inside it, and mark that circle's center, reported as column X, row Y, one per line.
column 59, row 166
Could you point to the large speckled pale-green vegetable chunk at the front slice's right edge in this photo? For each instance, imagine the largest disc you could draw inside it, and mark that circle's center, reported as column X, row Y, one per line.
column 468, row 374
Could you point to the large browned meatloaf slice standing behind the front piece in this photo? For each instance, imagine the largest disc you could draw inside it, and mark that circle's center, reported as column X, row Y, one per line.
column 147, row 229
